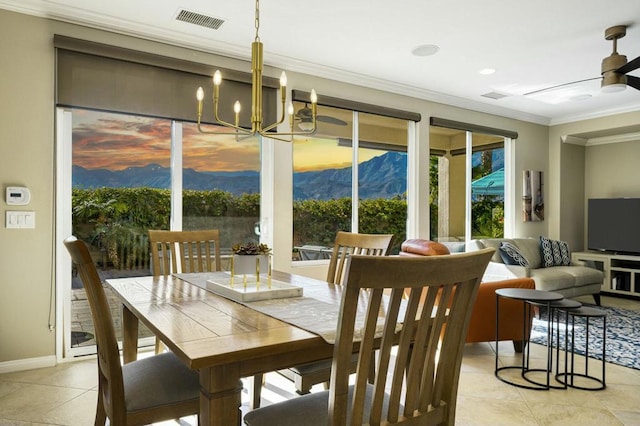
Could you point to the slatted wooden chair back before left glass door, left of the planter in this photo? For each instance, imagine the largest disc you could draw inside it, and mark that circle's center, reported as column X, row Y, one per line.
column 184, row 251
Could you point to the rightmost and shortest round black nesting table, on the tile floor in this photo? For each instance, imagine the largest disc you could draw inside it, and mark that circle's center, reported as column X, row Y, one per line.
column 569, row 376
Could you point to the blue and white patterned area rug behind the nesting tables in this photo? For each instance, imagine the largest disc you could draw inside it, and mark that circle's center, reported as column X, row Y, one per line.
column 622, row 339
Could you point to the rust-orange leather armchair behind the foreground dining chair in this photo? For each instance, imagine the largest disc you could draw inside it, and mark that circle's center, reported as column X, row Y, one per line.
column 482, row 327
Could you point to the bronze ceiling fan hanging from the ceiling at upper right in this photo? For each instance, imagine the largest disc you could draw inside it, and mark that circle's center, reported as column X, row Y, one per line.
column 614, row 68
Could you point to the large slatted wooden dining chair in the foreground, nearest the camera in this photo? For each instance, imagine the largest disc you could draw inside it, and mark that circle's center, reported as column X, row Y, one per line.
column 420, row 344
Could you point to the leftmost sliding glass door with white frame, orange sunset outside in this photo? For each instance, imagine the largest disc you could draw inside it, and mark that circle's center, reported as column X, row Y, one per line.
column 120, row 175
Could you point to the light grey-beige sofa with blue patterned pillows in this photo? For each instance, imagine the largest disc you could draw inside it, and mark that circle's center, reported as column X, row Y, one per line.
column 546, row 261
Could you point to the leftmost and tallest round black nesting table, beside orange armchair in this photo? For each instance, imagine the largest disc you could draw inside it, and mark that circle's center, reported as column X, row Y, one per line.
column 528, row 297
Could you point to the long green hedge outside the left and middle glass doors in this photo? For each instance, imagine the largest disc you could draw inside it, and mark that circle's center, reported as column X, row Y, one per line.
column 115, row 220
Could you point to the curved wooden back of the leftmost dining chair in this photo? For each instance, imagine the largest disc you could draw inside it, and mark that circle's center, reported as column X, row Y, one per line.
column 110, row 381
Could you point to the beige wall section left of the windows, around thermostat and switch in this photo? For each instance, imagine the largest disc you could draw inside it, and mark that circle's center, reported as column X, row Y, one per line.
column 26, row 159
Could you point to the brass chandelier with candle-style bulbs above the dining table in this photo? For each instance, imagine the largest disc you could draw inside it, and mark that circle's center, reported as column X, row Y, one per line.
column 257, row 126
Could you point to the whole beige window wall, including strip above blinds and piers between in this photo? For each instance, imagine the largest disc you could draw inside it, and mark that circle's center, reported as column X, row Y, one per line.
column 27, row 158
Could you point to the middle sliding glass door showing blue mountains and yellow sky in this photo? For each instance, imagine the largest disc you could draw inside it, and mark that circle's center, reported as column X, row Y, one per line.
column 351, row 175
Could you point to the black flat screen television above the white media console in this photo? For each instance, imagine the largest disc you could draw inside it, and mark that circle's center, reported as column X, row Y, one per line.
column 614, row 225
